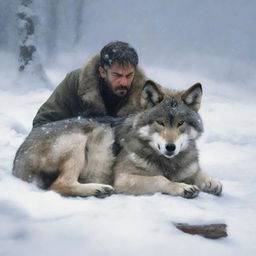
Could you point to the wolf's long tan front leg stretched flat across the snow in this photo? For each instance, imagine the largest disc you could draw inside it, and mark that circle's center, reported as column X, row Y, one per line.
column 141, row 185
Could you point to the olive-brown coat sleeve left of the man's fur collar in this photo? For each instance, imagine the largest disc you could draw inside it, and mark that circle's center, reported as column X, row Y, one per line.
column 63, row 102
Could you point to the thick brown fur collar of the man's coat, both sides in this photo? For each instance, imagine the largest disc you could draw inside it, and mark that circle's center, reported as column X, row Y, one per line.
column 89, row 92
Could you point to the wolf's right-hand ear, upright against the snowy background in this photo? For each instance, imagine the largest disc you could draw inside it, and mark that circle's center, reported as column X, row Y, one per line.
column 192, row 97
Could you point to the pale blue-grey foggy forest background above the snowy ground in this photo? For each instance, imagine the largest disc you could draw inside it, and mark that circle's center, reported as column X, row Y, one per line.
column 214, row 39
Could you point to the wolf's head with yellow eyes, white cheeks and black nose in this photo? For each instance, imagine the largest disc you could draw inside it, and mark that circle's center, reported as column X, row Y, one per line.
column 172, row 125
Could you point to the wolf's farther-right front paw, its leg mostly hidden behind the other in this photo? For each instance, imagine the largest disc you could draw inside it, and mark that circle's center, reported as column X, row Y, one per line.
column 207, row 184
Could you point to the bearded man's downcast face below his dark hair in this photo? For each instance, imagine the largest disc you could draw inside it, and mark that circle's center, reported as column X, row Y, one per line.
column 118, row 78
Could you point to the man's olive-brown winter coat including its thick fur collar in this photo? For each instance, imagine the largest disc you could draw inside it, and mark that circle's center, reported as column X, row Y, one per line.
column 79, row 95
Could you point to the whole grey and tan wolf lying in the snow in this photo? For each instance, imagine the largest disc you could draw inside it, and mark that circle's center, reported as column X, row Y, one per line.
column 157, row 151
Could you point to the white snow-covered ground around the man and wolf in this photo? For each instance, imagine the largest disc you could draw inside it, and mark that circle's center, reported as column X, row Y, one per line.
column 36, row 222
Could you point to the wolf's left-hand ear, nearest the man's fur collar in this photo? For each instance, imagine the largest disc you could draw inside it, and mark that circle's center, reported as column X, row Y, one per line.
column 151, row 95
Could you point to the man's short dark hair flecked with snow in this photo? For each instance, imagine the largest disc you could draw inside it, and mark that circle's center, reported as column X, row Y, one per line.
column 118, row 52
